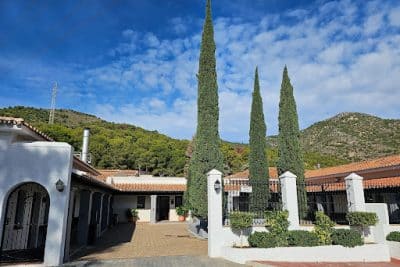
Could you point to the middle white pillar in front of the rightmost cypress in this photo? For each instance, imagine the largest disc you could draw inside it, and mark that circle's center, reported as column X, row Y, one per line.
column 289, row 198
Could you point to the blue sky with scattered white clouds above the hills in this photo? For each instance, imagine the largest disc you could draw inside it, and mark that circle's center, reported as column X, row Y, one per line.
column 136, row 61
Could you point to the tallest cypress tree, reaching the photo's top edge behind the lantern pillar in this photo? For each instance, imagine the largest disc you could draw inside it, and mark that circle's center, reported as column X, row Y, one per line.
column 206, row 152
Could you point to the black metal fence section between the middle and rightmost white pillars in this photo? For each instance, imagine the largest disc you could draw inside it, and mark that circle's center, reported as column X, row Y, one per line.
column 329, row 198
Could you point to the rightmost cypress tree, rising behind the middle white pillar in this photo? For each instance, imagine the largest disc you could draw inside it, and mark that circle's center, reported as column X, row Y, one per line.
column 289, row 149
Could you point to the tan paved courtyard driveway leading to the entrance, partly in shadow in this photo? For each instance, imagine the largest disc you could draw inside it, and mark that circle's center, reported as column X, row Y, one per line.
column 147, row 240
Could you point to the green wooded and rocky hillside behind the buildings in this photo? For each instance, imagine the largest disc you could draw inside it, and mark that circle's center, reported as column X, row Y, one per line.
column 343, row 138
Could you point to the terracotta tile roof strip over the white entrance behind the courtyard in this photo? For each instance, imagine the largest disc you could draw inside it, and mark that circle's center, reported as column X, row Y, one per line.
column 151, row 187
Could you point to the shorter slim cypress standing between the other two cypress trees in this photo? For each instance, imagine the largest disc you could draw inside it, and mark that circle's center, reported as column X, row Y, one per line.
column 258, row 164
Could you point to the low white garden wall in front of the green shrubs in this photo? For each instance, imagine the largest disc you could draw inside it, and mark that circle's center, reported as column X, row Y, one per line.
column 366, row 253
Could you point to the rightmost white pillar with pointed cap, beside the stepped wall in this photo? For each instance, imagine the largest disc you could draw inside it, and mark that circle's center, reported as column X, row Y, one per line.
column 355, row 192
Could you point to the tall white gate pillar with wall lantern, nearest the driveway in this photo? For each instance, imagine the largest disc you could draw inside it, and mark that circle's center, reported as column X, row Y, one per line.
column 214, row 213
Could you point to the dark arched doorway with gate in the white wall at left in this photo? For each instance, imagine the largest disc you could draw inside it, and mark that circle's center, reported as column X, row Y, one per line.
column 25, row 224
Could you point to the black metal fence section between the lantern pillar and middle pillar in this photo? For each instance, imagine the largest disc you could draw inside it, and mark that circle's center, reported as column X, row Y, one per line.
column 251, row 196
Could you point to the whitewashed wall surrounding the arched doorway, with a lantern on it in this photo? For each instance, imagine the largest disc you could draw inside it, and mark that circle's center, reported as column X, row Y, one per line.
column 43, row 163
